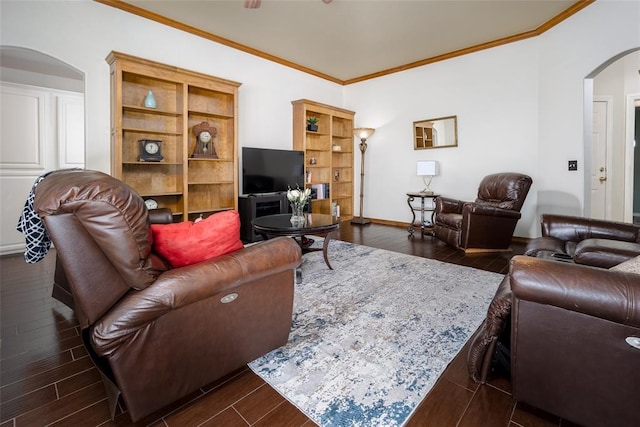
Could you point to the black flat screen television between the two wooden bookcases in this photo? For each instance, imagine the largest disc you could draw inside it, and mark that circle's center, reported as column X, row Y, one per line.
column 266, row 170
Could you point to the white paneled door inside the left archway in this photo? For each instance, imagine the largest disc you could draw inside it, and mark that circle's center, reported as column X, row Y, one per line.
column 40, row 130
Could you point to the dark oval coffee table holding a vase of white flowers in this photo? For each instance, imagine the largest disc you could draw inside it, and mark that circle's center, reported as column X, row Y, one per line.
column 321, row 225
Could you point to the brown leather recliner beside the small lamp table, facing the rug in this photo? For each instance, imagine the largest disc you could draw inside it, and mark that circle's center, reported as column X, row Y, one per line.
column 488, row 223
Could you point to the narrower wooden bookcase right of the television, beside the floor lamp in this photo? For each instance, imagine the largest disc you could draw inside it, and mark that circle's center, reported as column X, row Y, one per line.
column 328, row 154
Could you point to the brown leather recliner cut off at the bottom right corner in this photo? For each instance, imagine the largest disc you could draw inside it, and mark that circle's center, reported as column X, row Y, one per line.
column 567, row 325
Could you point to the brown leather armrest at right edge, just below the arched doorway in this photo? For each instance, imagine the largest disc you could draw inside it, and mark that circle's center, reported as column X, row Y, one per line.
column 575, row 229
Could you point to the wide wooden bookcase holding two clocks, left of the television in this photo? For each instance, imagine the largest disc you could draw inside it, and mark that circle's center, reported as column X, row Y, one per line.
column 190, row 187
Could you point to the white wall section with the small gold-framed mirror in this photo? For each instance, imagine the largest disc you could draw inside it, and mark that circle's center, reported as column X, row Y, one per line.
column 493, row 93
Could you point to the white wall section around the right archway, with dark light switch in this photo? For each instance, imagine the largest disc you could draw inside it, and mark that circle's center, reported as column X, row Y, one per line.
column 570, row 52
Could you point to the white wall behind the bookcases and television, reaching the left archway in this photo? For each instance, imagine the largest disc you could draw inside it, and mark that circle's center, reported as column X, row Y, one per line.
column 82, row 33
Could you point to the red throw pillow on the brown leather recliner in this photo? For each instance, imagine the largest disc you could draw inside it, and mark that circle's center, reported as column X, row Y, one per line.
column 189, row 242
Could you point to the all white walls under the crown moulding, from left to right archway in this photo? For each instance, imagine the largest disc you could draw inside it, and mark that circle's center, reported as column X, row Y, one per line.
column 519, row 106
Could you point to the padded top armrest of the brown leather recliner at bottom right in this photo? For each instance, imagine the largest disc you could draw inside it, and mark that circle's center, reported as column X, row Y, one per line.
column 606, row 294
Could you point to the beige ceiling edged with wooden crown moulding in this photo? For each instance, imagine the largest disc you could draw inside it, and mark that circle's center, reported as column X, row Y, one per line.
column 351, row 40
